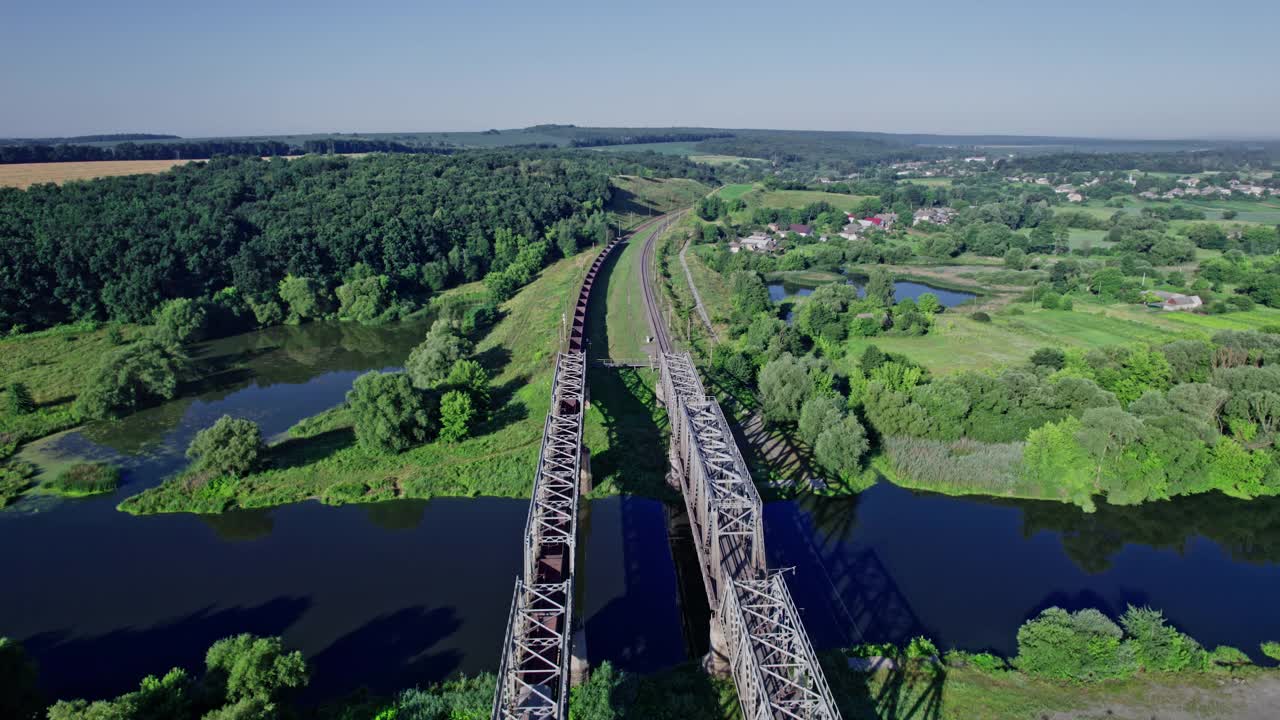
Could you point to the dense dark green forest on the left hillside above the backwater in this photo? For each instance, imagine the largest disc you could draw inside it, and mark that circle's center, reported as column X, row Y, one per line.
column 397, row 227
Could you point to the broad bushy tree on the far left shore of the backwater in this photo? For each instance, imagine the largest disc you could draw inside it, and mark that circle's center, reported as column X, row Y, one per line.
column 131, row 377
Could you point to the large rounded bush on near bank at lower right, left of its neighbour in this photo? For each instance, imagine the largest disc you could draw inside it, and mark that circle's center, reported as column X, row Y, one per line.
column 1081, row 646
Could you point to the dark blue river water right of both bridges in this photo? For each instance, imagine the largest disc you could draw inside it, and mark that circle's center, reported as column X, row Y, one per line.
column 893, row 564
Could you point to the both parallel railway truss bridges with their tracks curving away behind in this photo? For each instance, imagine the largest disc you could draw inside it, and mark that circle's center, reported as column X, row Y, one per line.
column 757, row 635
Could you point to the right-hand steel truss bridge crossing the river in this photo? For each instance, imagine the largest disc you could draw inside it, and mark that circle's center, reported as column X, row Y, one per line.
column 771, row 659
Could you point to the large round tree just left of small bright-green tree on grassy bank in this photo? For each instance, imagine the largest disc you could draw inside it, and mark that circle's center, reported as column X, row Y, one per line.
column 391, row 414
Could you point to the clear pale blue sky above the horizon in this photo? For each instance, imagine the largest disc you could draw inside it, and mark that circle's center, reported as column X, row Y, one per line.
column 1121, row 69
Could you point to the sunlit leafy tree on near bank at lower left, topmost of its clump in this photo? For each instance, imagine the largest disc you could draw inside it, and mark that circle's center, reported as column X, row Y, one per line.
column 249, row 668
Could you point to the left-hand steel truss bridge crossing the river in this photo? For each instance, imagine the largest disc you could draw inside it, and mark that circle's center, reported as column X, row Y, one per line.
column 533, row 677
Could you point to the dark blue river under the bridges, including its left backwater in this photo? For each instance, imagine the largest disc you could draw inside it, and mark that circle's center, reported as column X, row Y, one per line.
column 392, row 595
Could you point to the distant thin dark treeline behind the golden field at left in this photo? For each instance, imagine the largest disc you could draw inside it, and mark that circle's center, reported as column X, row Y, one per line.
column 200, row 151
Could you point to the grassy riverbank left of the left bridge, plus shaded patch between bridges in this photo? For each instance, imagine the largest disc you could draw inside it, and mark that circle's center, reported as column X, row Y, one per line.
column 319, row 458
